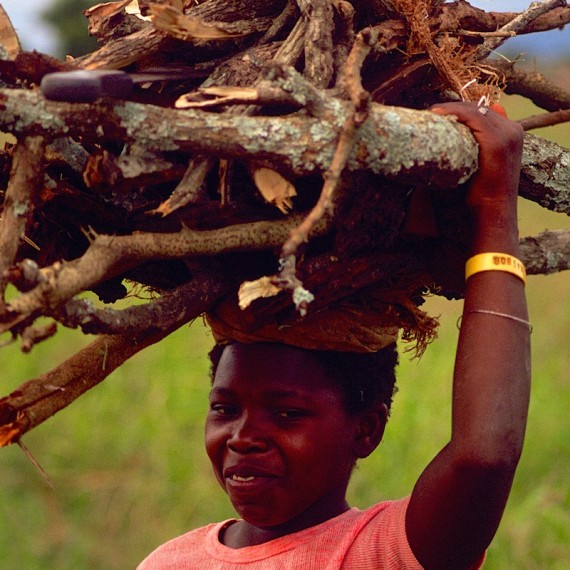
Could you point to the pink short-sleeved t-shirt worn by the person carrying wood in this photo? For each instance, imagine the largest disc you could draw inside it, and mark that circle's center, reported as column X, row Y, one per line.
column 355, row 540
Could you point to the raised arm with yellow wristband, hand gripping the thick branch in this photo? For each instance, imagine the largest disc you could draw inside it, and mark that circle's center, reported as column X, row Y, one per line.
column 458, row 501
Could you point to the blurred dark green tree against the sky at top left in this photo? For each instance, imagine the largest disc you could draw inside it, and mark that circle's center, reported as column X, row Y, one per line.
column 67, row 19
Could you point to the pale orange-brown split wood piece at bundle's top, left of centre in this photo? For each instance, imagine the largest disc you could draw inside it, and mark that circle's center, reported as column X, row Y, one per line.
column 175, row 23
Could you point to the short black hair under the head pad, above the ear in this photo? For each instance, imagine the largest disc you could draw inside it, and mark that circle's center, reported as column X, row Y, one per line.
column 364, row 378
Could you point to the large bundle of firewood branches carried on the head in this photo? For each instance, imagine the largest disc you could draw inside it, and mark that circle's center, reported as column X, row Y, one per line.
column 282, row 148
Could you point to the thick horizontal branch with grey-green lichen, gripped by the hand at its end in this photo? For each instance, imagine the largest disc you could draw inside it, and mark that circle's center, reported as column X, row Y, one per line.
column 419, row 146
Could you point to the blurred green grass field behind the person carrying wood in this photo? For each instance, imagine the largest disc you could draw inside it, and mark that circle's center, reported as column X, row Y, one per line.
column 129, row 471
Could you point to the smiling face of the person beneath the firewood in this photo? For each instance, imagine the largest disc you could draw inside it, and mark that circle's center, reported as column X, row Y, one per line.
column 278, row 437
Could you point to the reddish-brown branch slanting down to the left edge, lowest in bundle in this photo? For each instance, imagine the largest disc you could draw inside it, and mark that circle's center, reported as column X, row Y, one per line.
column 37, row 400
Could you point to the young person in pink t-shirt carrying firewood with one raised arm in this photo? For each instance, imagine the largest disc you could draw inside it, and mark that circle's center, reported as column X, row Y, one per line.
column 286, row 425
